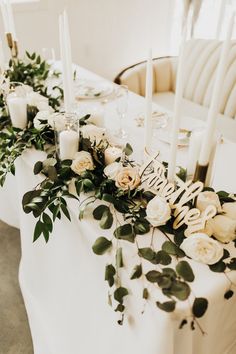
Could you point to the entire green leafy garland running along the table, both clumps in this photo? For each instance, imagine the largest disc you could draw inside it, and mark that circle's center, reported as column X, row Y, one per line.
column 48, row 201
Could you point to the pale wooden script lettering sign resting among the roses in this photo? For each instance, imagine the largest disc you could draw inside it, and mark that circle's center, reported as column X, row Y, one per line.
column 180, row 196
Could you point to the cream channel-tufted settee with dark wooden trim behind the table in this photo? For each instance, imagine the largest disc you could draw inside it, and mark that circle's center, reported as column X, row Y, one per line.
column 200, row 70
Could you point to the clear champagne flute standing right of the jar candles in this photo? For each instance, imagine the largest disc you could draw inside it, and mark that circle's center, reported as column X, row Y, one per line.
column 121, row 108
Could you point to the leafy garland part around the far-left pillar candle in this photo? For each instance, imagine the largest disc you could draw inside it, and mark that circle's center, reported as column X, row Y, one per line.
column 33, row 72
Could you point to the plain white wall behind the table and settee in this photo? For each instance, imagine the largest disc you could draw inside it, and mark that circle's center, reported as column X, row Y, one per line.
column 107, row 35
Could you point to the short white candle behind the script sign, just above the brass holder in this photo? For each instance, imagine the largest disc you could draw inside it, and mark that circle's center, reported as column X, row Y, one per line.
column 194, row 151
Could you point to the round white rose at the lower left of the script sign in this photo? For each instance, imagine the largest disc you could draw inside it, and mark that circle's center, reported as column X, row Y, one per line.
column 158, row 211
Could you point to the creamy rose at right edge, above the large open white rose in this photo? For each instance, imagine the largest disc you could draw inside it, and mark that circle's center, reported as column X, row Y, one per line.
column 224, row 228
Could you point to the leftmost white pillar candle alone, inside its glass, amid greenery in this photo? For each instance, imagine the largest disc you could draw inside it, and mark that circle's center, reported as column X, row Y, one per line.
column 17, row 107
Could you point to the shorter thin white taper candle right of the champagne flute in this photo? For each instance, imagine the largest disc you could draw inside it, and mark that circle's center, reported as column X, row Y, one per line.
column 148, row 116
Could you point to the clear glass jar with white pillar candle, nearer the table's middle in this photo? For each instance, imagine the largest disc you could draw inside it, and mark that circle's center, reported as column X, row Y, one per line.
column 67, row 135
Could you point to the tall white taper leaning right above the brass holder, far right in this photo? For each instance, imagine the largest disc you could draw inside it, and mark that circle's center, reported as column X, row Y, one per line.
column 216, row 96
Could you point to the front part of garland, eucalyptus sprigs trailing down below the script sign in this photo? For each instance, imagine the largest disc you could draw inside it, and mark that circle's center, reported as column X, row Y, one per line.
column 48, row 201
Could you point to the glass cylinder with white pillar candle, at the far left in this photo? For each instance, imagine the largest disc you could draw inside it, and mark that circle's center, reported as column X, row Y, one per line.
column 17, row 104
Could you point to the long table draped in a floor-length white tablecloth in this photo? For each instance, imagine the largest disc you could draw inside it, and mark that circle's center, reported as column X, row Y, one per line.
column 63, row 282
